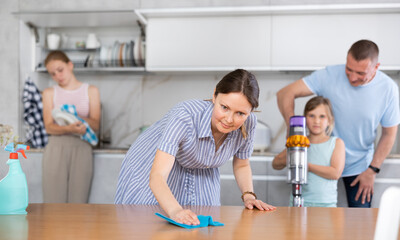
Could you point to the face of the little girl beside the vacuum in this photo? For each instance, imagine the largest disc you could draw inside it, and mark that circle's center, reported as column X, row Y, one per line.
column 318, row 120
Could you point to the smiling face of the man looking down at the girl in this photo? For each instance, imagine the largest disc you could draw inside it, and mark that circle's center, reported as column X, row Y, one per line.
column 360, row 72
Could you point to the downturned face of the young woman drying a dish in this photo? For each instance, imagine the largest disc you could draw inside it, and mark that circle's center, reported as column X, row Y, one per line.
column 60, row 71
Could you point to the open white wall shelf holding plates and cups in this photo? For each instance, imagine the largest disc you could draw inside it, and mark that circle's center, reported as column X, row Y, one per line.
column 111, row 27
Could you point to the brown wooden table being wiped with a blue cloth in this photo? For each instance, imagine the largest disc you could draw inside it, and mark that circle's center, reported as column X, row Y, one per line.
column 108, row 221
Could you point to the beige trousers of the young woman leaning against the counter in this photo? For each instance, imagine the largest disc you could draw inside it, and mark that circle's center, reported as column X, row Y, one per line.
column 67, row 170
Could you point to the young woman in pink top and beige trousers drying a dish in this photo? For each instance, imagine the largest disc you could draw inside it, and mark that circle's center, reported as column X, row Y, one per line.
column 67, row 159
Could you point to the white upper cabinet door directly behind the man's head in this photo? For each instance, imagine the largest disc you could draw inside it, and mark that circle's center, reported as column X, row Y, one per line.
column 312, row 40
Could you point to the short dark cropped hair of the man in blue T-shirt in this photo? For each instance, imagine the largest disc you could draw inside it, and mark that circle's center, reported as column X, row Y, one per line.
column 364, row 49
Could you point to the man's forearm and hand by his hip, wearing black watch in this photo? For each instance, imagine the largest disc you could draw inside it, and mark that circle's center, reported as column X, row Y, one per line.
column 367, row 178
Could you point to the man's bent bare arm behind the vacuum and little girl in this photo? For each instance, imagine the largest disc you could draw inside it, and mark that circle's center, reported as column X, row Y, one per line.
column 288, row 94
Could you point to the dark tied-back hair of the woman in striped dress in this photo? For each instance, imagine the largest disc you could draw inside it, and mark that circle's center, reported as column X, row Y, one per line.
column 240, row 81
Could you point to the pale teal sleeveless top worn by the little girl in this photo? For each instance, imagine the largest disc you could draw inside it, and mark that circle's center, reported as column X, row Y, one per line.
column 319, row 191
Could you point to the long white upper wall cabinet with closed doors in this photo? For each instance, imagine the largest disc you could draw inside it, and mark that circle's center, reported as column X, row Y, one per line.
column 267, row 38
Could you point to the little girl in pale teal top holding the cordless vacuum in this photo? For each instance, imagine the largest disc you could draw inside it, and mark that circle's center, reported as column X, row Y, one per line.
column 326, row 155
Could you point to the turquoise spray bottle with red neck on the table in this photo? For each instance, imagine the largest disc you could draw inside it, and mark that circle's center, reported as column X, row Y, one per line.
column 13, row 187
